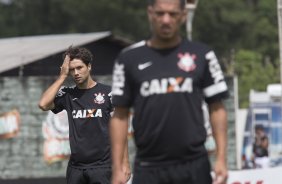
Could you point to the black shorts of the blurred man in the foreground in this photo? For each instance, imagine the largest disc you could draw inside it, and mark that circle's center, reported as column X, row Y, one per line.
column 190, row 172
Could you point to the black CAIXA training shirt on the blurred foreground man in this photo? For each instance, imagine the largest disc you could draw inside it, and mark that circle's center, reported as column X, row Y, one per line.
column 166, row 88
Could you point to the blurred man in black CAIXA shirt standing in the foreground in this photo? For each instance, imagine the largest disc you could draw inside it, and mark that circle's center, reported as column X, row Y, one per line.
column 165, row 79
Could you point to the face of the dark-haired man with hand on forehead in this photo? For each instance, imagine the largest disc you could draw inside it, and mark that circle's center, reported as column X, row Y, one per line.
column 79, row 71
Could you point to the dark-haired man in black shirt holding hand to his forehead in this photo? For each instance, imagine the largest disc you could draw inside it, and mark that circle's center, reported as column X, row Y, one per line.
column 88, row 105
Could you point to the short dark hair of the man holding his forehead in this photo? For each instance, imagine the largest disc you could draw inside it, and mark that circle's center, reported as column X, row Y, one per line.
column 79, row 53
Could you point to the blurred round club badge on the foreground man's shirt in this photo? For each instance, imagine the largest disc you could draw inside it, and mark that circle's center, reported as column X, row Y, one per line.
column 186, row 62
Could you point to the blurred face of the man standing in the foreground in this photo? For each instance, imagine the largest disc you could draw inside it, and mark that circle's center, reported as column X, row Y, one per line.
column 166, row 18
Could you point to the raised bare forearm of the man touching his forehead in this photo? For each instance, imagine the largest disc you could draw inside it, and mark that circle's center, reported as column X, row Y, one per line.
column 47, row 99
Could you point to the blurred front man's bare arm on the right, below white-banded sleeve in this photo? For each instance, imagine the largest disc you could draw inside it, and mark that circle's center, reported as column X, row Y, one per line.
column 218, row 118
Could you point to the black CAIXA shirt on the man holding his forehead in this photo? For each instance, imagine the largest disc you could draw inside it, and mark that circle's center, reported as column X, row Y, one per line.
column 88, row 114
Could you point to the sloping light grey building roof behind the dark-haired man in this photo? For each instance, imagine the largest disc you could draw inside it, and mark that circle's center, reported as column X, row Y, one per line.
column 19, row 51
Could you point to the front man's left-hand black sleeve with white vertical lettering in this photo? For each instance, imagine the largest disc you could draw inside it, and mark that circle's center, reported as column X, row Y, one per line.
column 121, row 87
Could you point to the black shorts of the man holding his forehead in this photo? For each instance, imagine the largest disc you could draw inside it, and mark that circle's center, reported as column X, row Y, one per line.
column 101, row 175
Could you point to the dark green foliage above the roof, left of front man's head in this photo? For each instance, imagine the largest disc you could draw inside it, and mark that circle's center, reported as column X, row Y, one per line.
column 32, row 17
